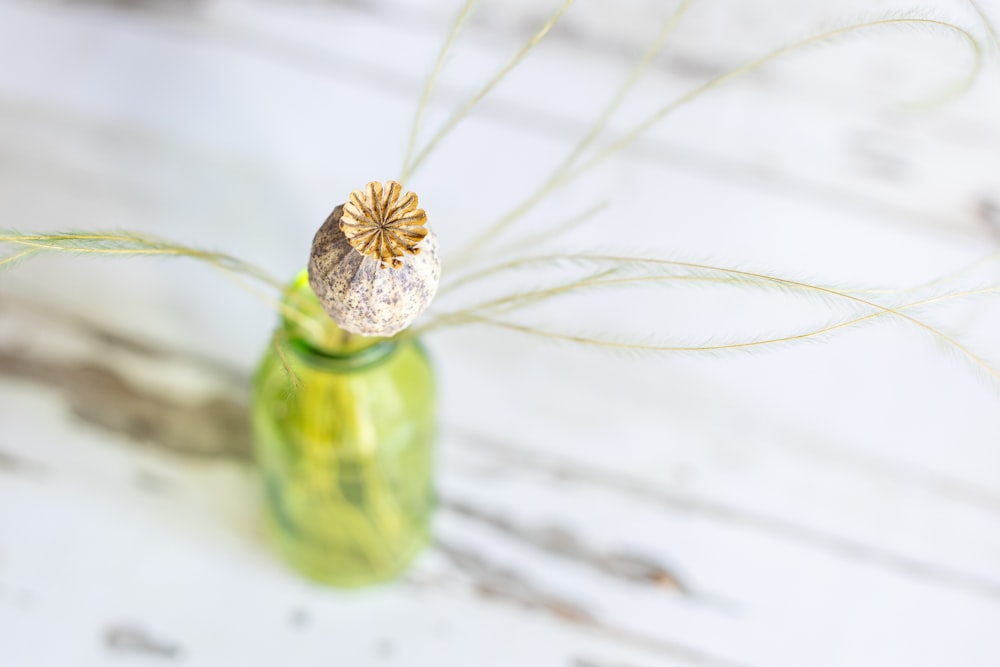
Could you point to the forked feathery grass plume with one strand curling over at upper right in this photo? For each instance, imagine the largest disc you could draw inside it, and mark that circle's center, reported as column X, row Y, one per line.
column 572, row 167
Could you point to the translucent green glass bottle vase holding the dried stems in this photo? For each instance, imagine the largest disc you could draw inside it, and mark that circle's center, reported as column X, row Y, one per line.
column 344, row 430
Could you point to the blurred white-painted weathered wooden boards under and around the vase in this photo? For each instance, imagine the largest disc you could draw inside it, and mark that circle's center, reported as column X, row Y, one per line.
column 835, row 502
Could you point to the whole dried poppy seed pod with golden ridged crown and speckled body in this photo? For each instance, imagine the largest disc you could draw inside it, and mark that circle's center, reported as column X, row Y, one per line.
column 374, row 265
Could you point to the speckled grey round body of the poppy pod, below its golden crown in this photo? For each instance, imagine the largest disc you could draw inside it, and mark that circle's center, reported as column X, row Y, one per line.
column 360, row 294
